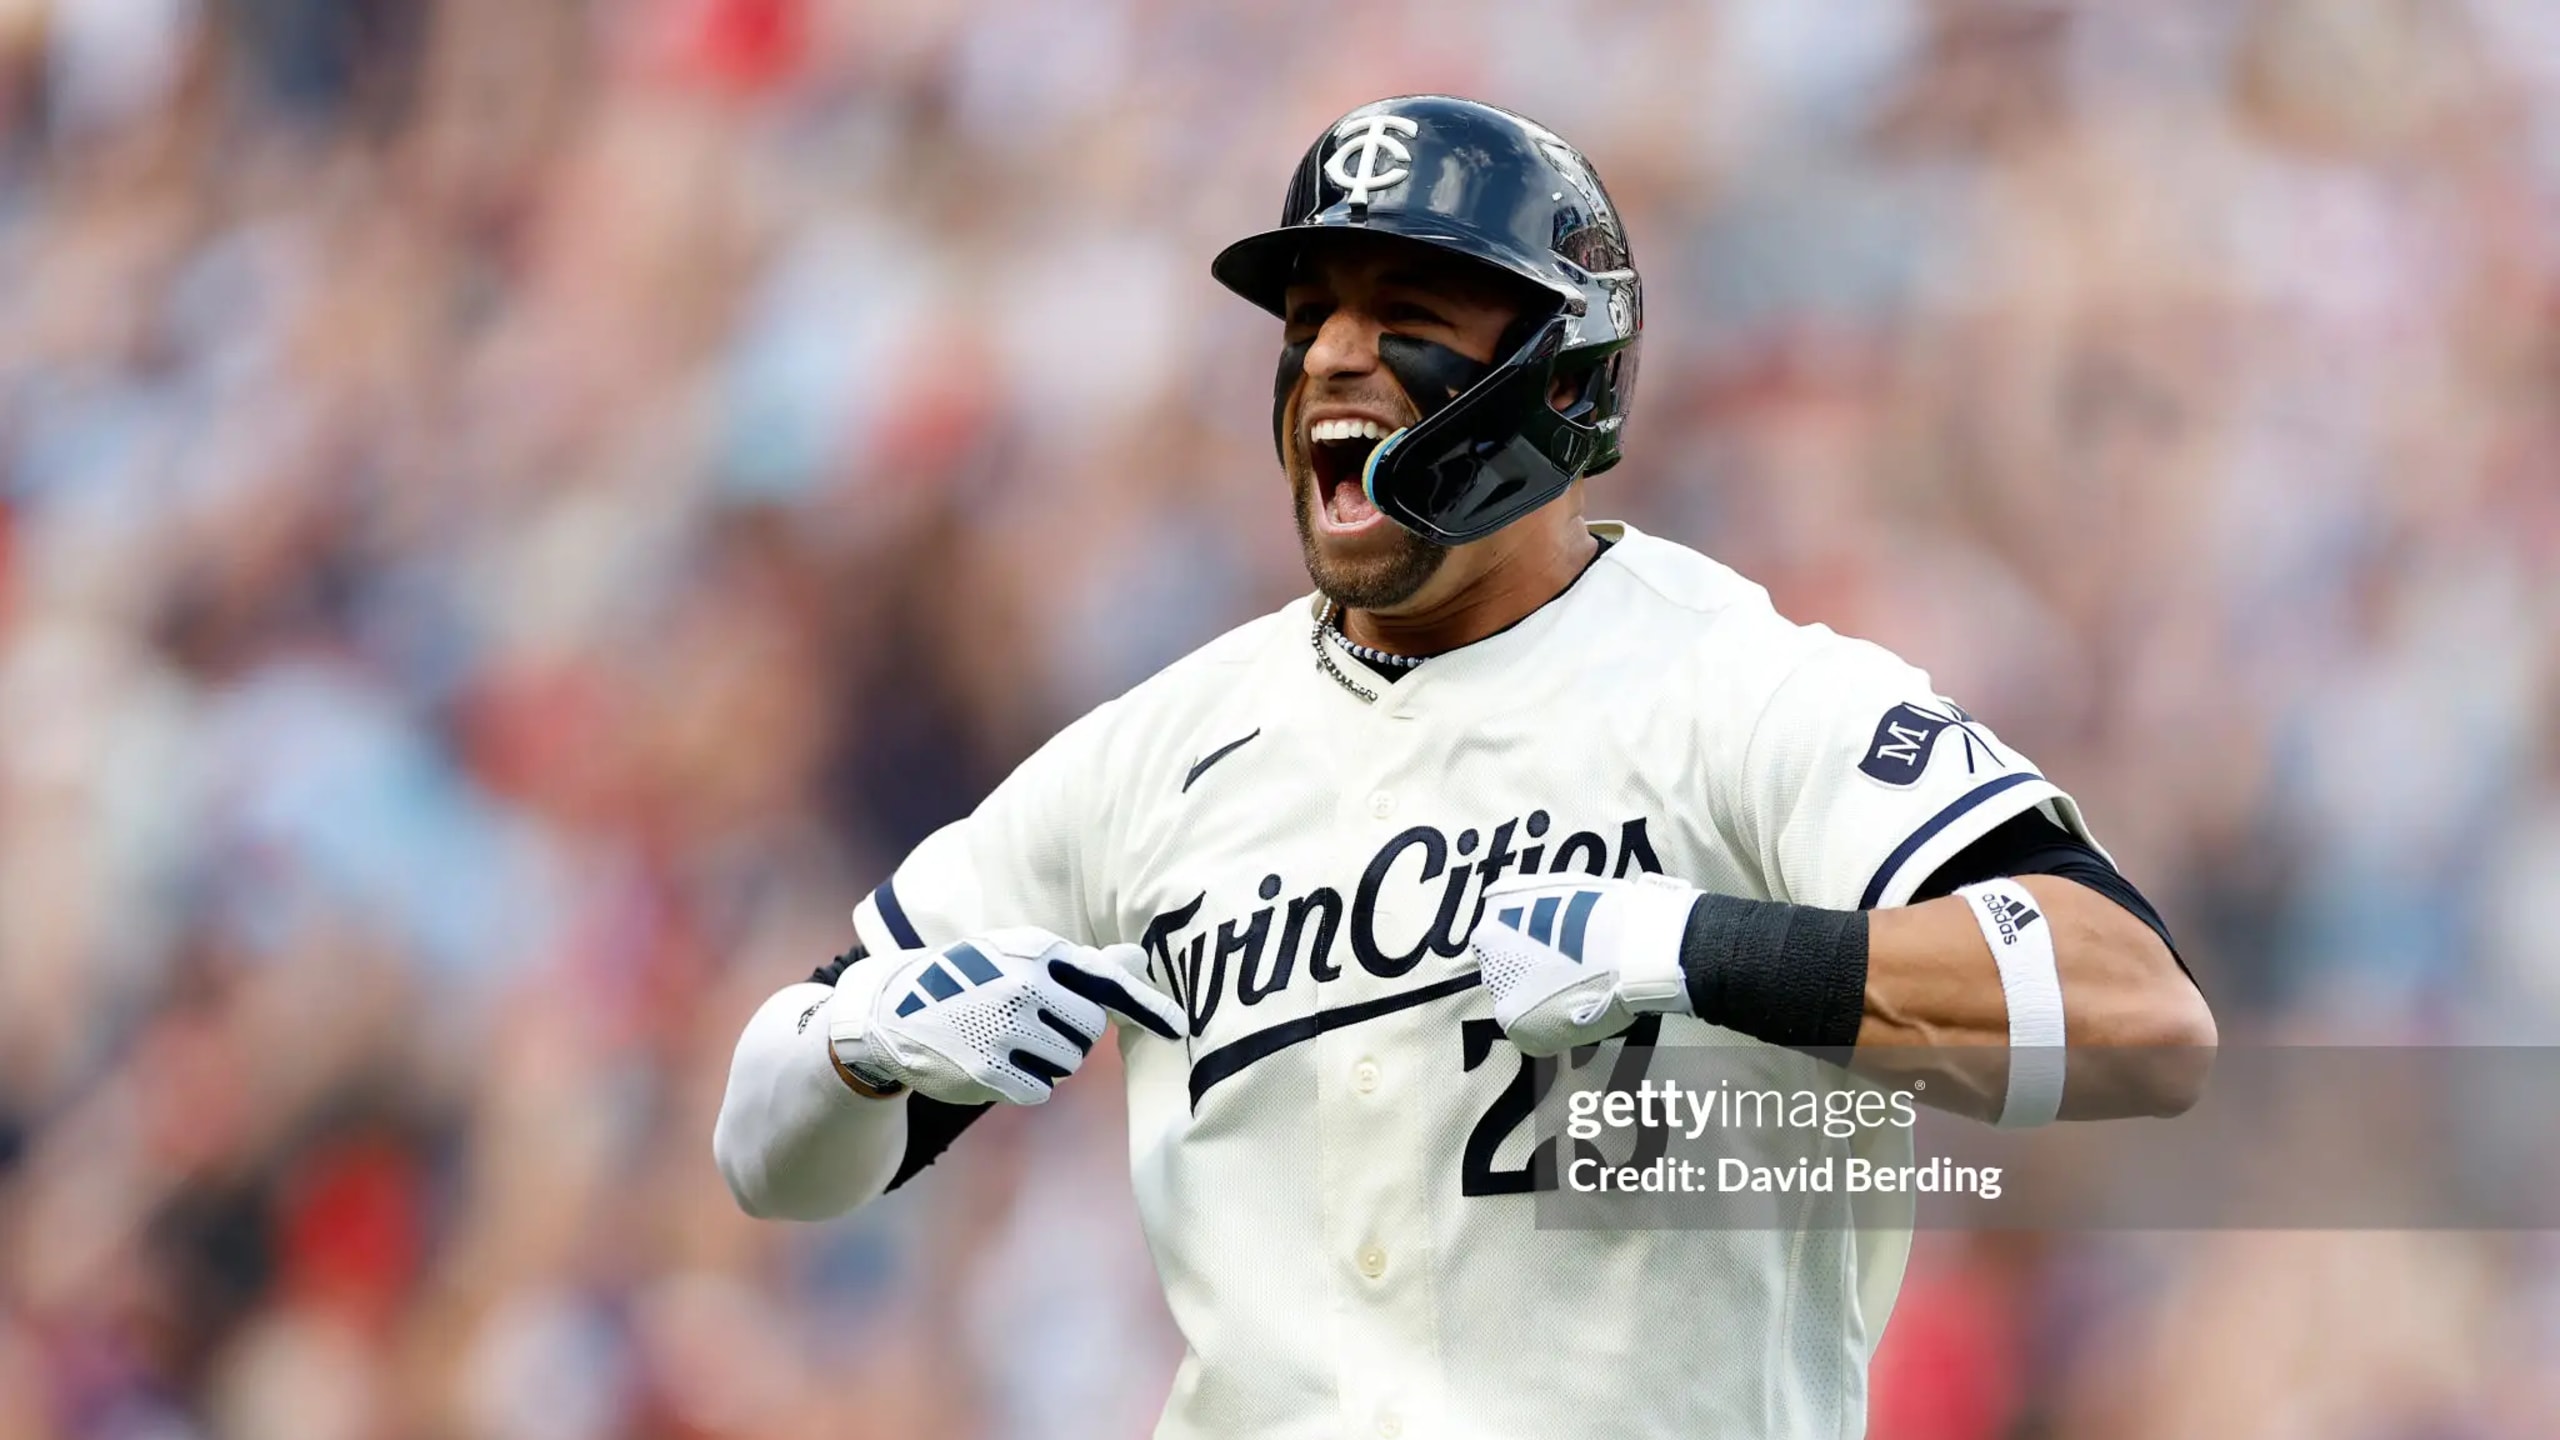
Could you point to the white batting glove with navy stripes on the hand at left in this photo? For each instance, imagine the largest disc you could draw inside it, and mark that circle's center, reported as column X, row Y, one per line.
column 1000, row 1016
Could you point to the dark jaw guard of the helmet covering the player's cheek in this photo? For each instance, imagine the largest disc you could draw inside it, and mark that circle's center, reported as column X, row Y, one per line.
column 1484, row 460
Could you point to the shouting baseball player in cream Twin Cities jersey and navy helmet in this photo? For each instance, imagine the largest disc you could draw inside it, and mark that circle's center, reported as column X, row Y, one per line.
column 1509, row 783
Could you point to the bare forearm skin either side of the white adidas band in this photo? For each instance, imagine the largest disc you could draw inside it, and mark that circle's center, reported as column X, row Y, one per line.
column 1932, row 983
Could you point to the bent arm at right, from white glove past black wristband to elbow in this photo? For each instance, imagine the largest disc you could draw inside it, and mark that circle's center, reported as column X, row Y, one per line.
column 2083, row 990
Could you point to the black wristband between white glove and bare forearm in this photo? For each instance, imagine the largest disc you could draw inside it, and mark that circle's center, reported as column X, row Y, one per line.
column 1788, row 975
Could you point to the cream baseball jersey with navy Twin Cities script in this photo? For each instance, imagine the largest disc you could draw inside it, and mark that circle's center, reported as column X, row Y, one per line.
column 1335, row 1165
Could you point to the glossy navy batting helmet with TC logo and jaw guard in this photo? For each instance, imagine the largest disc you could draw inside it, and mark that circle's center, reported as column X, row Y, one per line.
column 1499, row 191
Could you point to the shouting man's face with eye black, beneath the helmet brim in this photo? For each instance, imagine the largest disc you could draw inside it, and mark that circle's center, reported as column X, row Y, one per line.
column 1358, row 288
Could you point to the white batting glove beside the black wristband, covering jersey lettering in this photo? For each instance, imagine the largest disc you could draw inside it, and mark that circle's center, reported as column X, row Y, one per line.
column 1576, row 960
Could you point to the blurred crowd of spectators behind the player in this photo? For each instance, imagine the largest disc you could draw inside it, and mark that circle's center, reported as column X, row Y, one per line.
column 513, row 514
